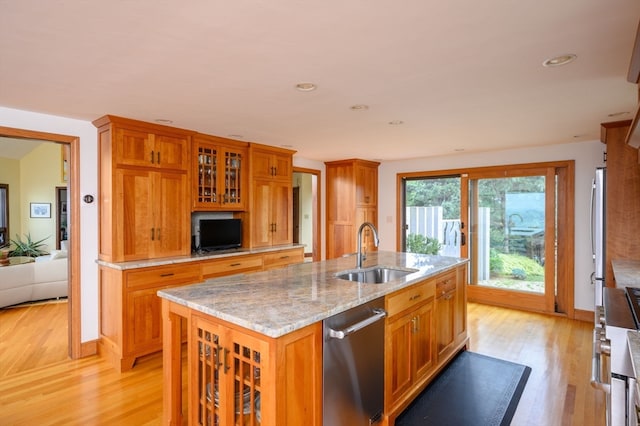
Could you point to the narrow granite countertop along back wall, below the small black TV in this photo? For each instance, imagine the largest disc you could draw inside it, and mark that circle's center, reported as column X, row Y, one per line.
column 147, row 263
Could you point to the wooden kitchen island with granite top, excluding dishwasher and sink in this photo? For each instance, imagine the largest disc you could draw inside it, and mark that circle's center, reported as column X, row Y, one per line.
column 255, row 340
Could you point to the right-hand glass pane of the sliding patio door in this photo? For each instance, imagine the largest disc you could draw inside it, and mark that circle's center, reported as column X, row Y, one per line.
column 508, row 220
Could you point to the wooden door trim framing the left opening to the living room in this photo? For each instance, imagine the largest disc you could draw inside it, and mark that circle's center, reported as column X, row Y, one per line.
column 75, row 347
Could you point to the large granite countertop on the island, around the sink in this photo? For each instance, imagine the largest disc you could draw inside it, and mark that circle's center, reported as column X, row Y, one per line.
column 277, row 302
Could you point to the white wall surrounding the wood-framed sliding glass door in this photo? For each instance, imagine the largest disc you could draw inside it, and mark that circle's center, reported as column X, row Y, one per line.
column 587, row 156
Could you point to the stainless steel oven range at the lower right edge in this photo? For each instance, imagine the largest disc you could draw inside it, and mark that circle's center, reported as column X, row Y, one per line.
column 612, row 371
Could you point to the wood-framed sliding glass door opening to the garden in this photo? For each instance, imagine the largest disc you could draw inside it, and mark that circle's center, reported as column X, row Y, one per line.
column 513, row 222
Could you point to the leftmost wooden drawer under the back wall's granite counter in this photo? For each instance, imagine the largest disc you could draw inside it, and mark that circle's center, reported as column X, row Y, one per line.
column 161, row 276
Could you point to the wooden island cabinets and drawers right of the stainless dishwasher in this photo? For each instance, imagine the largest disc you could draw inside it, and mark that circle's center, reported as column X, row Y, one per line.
column 425, row 328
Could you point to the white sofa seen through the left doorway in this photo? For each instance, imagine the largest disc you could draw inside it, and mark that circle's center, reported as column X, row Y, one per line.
column 46, row 278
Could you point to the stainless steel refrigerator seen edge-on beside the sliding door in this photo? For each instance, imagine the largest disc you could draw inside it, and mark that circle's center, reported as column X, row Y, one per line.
column 598, row 214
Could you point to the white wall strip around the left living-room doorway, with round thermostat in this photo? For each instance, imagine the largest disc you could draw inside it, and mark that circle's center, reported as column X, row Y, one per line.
column 87, row 134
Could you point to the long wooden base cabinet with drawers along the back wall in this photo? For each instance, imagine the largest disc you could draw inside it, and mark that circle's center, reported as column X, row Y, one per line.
column 130, row 320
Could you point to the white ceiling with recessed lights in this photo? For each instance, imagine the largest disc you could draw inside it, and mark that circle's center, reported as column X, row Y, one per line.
column 461, row 74
